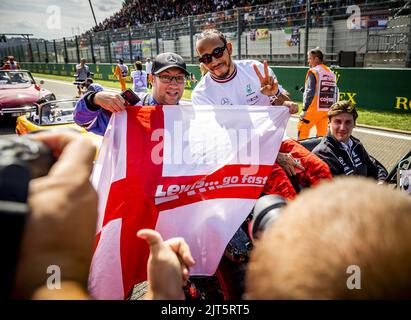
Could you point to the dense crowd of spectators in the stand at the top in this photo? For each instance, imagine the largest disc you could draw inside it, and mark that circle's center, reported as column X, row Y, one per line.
column 284, row 13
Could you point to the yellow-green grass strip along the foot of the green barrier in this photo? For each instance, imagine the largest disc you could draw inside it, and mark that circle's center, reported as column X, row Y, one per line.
column 366, row 117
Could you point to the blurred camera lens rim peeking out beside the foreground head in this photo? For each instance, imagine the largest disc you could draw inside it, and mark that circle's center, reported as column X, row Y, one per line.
column 266, row 211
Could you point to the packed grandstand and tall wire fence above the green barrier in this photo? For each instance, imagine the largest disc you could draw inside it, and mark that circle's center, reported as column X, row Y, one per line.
column 377, row 32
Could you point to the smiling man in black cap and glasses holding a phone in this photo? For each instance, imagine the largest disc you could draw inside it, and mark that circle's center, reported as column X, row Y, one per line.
column 93, row 110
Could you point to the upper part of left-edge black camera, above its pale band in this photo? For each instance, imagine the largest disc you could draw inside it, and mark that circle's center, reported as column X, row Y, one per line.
column 21, row 159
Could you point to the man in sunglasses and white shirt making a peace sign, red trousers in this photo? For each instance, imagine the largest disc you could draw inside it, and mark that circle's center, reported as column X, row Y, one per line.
column 249, row 82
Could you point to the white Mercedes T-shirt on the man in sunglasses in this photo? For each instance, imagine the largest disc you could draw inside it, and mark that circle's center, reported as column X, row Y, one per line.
column 241, row 88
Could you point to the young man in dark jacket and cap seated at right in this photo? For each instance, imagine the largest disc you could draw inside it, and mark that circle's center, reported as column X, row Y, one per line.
column 345, row 154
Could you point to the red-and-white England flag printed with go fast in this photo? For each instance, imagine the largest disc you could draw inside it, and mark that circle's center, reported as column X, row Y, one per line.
column 186, row 171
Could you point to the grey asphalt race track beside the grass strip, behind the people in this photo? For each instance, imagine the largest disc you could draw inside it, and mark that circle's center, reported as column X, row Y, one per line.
column 386, row 146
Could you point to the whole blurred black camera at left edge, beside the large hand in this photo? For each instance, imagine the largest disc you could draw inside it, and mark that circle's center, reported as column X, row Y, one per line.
column 21, row 159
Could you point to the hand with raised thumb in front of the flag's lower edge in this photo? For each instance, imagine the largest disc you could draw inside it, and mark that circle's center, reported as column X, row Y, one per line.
column 167, row 267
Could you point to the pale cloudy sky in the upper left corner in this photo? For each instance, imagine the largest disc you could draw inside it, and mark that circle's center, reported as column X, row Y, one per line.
column 41, row 17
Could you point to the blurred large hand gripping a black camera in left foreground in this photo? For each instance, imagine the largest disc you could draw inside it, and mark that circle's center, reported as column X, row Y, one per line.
column 60, row 229
